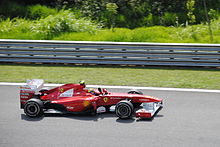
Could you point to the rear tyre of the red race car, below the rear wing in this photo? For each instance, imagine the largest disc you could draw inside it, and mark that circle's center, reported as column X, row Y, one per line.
column 33, row 108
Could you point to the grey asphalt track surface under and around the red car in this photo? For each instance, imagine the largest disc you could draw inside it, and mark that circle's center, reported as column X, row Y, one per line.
column 187, row 119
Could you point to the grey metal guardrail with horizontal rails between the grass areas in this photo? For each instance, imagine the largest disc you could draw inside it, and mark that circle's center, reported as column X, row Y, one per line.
column 121, row 53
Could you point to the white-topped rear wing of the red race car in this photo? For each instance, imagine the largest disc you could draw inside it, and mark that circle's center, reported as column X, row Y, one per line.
column 28, row 90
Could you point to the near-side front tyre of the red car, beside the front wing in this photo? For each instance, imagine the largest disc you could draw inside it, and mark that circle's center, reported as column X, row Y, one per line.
column 124, row 109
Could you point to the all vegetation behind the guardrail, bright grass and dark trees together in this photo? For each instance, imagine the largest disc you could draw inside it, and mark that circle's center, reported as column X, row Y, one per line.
column 111, row 20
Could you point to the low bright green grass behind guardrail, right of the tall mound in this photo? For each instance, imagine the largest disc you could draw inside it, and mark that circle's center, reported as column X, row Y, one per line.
column 160, row 34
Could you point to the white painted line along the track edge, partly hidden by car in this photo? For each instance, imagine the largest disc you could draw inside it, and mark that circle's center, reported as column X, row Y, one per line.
column 125, row 87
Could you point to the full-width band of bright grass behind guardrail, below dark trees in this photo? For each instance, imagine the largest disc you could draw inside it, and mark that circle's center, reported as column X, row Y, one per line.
column 65, row 26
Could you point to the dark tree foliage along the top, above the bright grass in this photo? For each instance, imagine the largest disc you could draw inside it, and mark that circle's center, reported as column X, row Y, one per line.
column 127, row 13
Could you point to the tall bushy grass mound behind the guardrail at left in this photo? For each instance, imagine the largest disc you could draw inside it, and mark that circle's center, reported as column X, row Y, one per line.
column 45, row 28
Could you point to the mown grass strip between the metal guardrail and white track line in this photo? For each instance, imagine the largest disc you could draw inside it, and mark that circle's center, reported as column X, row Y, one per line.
column 156, row 77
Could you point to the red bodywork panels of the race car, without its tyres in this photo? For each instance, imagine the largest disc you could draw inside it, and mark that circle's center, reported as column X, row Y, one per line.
column 75, row 98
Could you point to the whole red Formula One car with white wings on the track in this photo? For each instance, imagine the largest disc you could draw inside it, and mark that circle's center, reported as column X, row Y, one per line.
column 75, row 98
